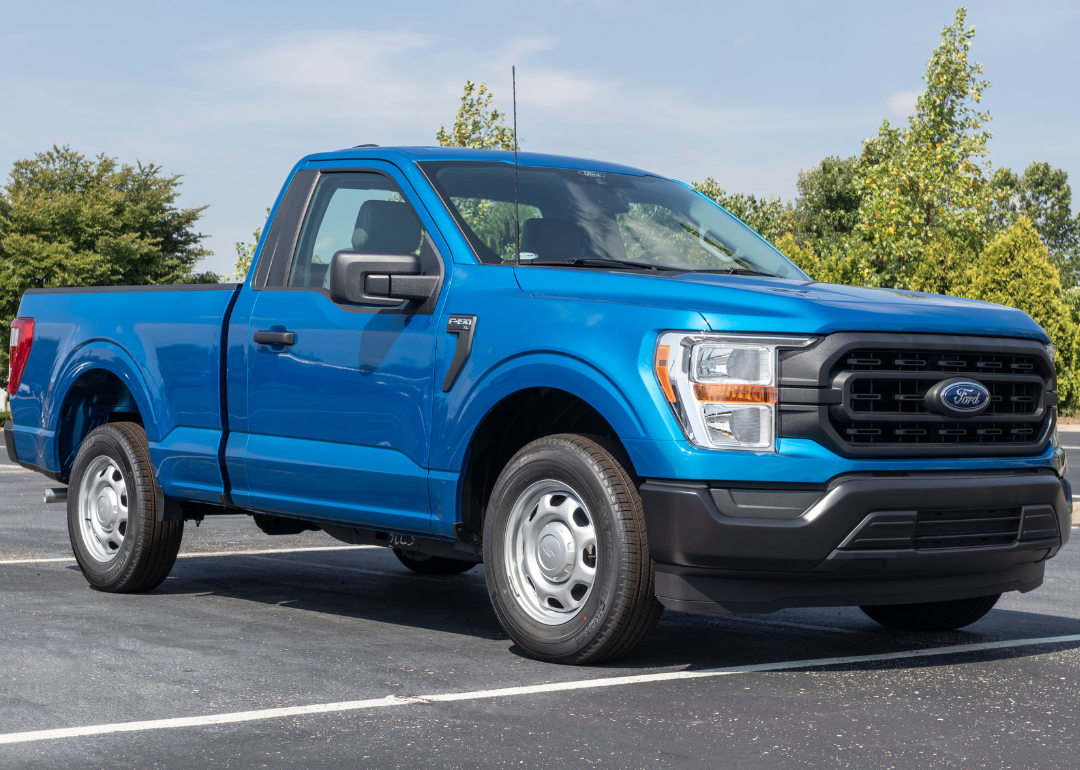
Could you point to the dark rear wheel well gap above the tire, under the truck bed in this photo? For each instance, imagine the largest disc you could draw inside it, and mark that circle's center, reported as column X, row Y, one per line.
column 98, row 397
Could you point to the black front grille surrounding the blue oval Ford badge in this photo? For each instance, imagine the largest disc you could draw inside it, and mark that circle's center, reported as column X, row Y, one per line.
column 873, row 396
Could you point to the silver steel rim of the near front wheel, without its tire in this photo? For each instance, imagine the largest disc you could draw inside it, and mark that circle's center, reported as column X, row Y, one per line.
column 550, row 552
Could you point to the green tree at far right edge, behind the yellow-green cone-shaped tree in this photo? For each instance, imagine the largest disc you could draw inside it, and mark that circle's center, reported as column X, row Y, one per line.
column 1044, row 196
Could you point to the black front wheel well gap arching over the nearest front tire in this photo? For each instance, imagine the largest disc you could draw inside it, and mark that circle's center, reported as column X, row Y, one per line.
column 510, row 425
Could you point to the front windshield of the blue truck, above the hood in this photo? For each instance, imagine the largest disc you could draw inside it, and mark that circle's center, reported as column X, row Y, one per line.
column 570, row 215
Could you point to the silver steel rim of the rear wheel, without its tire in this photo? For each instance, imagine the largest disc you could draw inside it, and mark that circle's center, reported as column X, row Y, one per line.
column 103, row 509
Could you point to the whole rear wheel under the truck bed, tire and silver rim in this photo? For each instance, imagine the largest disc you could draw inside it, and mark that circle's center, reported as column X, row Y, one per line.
column 113, row 514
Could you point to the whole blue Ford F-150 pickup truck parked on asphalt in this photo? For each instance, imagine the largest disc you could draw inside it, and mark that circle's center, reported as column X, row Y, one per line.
column 592, row 380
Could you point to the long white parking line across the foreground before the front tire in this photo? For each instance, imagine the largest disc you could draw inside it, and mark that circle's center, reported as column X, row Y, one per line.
column 234, row 718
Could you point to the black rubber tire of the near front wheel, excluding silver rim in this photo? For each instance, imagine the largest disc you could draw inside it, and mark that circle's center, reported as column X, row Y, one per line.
column 622, row 609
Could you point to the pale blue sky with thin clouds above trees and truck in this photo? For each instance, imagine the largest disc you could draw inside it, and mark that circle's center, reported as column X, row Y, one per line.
column 233, row 94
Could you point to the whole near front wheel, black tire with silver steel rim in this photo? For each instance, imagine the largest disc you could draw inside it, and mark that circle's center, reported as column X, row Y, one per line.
column 569, row 565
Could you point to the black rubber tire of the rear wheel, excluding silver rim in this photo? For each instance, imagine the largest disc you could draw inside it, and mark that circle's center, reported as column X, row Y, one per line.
column 148, row 550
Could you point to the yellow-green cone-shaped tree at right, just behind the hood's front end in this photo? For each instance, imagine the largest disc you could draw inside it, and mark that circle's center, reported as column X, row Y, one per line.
column 1016, row 271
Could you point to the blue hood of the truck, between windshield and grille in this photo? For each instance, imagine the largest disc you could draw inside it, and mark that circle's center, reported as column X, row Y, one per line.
column 781, row 306
